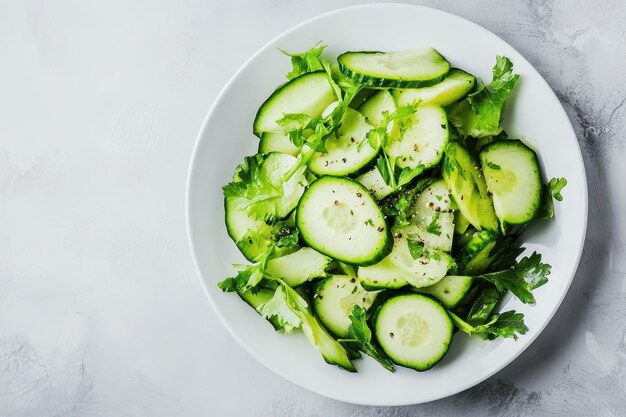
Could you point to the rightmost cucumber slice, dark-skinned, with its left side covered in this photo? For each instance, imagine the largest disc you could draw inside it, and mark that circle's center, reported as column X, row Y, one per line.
column 512, row 176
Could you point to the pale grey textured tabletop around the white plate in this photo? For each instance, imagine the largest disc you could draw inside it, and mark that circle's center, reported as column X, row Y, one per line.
column 101, row 313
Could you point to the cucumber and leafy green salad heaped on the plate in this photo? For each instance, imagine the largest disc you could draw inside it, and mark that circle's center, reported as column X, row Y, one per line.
column 386, row 206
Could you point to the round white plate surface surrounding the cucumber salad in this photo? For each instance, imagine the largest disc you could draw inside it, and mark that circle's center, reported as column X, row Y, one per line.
column 534, row 114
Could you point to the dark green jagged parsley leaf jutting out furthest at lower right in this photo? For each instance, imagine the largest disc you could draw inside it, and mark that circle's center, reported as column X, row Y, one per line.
column 528, row 274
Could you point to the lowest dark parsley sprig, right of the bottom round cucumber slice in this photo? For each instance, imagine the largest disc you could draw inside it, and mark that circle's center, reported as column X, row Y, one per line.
column 508, row 325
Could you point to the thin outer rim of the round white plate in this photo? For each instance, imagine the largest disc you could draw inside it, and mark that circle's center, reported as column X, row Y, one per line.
column 194, row 160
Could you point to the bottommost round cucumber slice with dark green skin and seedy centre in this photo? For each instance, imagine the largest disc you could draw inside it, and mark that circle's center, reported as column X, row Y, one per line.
column 414, row 330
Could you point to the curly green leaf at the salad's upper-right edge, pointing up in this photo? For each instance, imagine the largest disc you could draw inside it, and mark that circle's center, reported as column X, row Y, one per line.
column 481, row 113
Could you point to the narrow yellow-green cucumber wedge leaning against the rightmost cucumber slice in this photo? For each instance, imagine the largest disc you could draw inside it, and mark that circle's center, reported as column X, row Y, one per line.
column 467, row 186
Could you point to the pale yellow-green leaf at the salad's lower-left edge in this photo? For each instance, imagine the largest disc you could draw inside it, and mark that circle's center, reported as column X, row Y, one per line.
column 286, row 306
